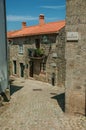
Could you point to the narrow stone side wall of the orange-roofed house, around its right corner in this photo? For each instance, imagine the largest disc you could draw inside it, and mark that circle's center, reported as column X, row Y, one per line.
column 61, row 62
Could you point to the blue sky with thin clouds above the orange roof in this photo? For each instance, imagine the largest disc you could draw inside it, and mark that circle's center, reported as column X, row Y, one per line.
column 18, row 11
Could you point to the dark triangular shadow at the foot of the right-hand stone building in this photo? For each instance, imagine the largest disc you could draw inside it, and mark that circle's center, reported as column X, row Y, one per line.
column 61, row 100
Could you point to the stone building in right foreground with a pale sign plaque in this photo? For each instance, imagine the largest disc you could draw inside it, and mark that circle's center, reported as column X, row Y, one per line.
column 76, row 57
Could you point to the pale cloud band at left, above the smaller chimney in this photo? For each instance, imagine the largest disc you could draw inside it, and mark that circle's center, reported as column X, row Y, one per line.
column 15, row 18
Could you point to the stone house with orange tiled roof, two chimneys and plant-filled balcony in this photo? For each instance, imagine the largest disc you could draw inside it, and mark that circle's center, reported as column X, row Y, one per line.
column 38, row 51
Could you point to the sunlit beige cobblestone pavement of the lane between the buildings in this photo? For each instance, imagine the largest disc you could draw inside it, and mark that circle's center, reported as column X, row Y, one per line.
column 33, row 106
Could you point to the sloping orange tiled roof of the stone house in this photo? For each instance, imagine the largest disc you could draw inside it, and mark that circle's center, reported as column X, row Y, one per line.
column 47, row 28
